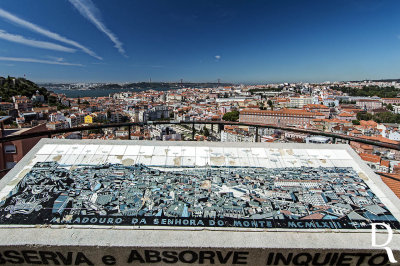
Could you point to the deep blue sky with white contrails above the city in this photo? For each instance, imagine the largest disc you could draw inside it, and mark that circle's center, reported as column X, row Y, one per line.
column 254, row 41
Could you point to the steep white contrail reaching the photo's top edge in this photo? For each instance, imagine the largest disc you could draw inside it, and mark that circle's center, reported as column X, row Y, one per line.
column 89, row 11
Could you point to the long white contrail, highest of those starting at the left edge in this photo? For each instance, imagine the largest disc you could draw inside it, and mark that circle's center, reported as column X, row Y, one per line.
column 55, row 36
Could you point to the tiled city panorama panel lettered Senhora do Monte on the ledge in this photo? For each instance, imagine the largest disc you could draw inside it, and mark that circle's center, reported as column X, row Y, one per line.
column 192, row 186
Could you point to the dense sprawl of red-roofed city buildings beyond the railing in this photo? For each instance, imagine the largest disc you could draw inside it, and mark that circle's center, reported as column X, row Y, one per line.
column 326, row 107
